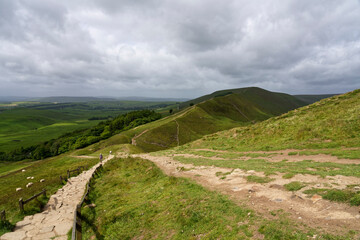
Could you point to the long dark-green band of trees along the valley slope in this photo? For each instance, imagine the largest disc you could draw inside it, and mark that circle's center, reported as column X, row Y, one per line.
column 82, row 138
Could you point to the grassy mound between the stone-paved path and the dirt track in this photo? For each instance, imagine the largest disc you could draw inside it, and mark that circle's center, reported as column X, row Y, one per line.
column 135, row 200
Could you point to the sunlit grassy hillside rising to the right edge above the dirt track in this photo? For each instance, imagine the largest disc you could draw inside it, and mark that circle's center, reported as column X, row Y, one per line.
column 329, row 123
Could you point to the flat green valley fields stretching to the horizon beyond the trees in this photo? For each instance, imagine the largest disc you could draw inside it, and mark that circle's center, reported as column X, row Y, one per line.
column 28, row 123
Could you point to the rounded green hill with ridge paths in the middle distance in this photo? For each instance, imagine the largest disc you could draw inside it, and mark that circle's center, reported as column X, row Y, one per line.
column 246, row 106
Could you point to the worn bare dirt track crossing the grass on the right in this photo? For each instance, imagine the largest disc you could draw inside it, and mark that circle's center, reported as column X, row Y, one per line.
column 265, row 198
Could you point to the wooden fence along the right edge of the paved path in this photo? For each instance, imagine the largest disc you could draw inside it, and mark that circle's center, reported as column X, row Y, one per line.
column 77, row 229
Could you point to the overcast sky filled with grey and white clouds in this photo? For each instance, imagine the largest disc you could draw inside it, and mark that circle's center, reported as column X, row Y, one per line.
column 185, row 48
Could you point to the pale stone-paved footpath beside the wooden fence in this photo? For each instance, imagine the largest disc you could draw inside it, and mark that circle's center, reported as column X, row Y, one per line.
column 57, row 218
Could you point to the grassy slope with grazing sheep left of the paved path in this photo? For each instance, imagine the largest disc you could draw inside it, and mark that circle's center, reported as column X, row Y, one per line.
column 50, row 170
